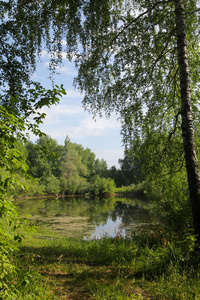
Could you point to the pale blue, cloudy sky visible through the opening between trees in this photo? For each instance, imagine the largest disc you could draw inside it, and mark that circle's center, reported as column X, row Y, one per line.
column 68, row 118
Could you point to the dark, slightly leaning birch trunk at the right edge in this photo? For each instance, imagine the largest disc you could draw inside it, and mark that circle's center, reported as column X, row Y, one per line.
column 187, row 118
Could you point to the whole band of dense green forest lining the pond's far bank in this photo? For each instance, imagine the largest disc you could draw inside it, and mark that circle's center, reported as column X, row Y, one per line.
column 69, row 169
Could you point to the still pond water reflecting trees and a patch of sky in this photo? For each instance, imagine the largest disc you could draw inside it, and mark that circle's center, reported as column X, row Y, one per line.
column 87, row 218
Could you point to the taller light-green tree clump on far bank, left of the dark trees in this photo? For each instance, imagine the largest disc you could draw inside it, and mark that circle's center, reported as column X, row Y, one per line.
column 68, row 169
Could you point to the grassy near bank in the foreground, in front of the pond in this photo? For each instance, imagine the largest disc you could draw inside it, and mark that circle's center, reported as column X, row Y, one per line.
column 145, row 267
